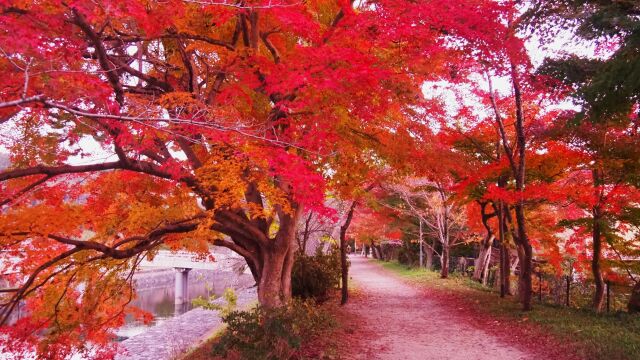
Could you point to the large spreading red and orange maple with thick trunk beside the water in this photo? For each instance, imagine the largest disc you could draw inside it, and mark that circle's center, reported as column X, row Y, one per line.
column 220, row 123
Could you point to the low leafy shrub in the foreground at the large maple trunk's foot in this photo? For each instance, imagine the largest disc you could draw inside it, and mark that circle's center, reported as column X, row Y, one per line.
column 271, row 334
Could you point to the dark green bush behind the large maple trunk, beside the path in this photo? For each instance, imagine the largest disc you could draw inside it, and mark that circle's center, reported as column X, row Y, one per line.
column 313, row 277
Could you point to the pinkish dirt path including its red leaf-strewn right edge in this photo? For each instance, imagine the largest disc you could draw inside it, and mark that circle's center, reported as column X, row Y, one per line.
column 398, row 320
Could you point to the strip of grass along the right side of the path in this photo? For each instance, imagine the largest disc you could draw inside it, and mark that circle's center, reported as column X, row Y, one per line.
column 595, row 336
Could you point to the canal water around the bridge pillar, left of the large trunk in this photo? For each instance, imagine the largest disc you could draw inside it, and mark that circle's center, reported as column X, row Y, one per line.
column 156, row 295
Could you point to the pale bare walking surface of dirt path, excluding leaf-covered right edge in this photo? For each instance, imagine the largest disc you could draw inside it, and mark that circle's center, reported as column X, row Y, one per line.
column 401, row 323
